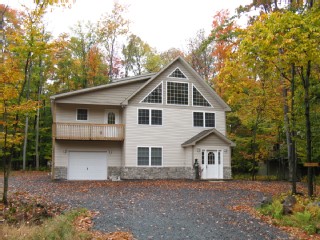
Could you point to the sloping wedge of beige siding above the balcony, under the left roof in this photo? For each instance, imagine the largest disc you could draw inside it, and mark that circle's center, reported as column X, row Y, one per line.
column 109, row 96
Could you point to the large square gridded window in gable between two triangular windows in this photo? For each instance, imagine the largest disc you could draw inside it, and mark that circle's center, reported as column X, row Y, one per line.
column 178, row 93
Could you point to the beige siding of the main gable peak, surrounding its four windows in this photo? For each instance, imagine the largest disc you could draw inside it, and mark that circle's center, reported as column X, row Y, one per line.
column 163, row 77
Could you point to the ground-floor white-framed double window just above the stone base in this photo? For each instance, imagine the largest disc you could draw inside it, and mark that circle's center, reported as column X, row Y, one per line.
column 149, row 156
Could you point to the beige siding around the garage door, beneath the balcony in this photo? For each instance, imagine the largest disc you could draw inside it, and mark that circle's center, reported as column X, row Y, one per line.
column 62, row 149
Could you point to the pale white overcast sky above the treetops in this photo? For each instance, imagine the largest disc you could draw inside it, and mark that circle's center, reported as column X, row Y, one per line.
column 163, row 24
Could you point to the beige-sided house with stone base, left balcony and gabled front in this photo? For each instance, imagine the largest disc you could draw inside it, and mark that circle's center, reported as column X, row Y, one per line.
column 152, row 126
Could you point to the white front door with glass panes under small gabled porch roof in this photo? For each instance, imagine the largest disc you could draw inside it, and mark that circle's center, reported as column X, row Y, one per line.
column 212, row 164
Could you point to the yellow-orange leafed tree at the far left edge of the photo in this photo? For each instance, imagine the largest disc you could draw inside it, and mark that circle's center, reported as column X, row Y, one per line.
column 12, row 103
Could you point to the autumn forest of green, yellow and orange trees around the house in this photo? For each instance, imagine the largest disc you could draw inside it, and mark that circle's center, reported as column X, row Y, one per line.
column 268, row 71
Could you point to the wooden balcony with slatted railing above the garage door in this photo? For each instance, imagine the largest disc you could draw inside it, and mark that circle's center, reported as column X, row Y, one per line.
column 88, row 131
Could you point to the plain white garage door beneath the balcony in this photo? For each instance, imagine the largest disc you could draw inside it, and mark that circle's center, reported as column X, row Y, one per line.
column 87, row 166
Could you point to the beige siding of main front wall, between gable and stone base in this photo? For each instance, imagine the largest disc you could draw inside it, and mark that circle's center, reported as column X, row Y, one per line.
column 176, row 129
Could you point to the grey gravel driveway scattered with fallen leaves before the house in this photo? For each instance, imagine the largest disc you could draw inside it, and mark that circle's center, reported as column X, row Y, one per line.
column 163, row 209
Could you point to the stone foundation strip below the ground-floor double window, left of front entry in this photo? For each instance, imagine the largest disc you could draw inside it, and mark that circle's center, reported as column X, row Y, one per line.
column 157, row 173
